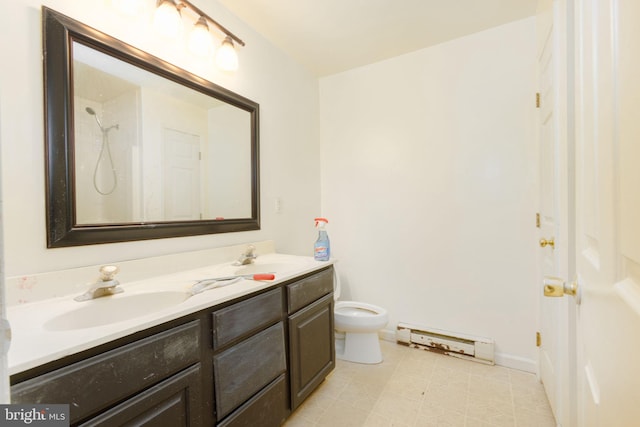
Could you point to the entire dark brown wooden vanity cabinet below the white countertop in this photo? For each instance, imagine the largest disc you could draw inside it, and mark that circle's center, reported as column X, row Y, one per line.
column 243, row 363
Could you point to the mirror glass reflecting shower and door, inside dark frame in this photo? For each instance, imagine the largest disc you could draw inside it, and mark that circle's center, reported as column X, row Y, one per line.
column 148, row 149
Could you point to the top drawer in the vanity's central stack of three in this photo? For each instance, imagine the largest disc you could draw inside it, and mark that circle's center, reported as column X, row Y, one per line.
column 243, row 318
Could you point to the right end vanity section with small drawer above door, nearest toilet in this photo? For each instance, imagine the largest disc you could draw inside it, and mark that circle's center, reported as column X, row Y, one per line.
column 311, row 333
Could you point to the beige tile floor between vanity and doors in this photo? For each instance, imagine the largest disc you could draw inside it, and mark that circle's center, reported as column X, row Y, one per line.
column 418, row 388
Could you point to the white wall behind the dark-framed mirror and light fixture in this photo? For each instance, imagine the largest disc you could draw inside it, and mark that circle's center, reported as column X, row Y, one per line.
column 289, row 156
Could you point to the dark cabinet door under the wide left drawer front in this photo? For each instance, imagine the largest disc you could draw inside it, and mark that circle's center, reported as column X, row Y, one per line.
column 174, row 402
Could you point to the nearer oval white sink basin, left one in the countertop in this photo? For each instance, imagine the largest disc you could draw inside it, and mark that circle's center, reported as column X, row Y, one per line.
column 112, row 309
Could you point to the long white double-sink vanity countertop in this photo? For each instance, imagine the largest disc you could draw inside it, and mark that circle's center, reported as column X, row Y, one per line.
column 33, row 344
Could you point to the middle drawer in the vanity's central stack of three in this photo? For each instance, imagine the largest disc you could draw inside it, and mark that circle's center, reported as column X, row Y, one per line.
column 244, row 369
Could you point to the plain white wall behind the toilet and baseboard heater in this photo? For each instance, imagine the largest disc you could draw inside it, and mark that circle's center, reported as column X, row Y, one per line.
column 429, row 184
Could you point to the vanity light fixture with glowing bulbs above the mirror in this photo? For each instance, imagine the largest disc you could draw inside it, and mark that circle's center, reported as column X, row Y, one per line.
column 168, row 21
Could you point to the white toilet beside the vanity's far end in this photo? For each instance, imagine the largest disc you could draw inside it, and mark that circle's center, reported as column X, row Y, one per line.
column 356, row 329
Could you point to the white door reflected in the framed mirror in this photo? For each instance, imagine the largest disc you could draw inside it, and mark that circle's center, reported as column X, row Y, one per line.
column 181, row 172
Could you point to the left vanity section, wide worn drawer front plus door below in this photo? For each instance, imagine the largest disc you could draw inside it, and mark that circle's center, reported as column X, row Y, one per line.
column 153, row 381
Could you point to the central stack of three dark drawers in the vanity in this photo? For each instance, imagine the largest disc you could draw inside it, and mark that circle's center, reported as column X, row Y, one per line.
column 249, row 362
